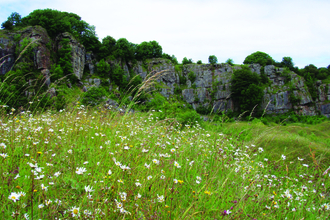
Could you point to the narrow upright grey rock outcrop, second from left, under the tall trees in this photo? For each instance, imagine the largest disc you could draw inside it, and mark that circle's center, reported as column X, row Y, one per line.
column 78, row 53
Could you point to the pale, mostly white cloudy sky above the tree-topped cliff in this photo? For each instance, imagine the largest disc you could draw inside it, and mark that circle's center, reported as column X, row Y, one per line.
column 197, row 29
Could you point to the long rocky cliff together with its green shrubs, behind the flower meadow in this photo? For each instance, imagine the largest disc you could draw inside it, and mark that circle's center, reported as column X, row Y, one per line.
column 41, row 64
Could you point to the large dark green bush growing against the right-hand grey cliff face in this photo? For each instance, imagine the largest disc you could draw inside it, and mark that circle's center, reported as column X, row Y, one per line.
column 246, row 90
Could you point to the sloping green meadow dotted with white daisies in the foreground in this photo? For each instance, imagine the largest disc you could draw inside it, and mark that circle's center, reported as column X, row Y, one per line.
column 97, row 164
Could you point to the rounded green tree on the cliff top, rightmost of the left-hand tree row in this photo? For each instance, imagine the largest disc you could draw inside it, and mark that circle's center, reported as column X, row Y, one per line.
column 148, row 50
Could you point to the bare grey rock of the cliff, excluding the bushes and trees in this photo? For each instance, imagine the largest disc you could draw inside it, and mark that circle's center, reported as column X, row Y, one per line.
column 202, row 86
